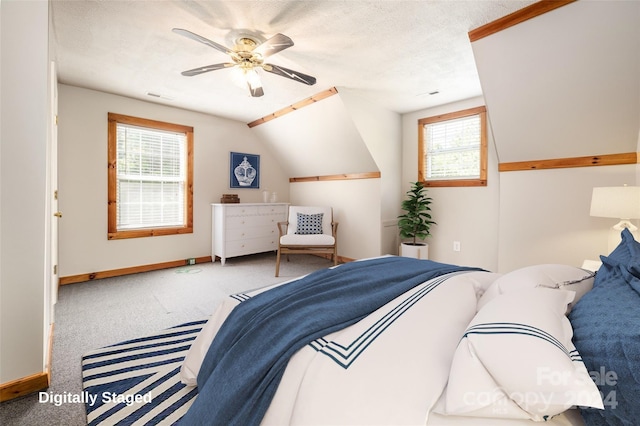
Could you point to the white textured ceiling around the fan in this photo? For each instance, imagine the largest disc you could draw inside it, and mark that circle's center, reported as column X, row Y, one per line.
column 392, row 52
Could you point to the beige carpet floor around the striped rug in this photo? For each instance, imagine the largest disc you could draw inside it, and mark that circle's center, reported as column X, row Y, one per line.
column 95, row 314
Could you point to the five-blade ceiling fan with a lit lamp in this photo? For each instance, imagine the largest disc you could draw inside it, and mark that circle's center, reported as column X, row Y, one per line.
column 248, row 55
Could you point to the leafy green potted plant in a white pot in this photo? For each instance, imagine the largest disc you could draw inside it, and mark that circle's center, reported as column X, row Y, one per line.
column 416, row 223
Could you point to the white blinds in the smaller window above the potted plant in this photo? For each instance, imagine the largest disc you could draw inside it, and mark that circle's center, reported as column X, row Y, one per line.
column 452, row 149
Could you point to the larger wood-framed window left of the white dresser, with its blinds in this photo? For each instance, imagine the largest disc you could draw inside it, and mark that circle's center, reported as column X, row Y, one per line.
column 150, row 175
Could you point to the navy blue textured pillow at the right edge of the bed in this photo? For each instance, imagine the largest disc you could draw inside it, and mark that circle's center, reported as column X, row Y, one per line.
column 606, row 324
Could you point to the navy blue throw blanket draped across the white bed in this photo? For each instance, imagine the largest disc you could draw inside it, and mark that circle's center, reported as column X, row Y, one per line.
column 246, row 360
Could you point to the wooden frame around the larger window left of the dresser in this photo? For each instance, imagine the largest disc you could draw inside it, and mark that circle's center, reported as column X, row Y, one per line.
column 113, row 233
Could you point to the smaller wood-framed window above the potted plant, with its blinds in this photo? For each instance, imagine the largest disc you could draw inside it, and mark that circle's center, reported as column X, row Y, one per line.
column 452, row 149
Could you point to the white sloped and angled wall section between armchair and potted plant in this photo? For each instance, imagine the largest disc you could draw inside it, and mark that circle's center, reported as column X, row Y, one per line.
column 343, row 134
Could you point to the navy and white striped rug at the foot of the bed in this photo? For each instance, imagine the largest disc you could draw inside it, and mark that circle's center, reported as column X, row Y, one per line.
column 137, row 382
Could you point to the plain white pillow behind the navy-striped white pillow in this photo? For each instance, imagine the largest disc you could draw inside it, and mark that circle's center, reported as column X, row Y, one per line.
column 563, row 277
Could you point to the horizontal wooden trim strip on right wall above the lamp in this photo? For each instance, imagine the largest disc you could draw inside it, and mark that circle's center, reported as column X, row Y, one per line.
column 561, row 163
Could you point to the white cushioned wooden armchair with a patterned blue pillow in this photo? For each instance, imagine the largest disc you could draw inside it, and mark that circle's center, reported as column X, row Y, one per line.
column 308, row 230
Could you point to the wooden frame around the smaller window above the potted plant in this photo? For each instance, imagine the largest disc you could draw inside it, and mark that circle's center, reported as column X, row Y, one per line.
column 482, row 180
